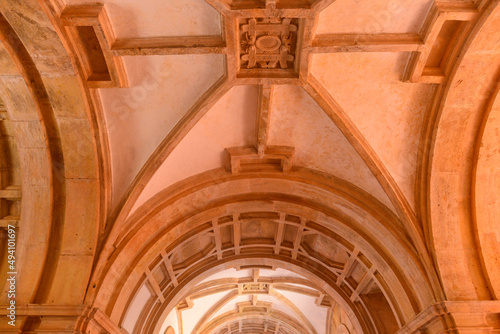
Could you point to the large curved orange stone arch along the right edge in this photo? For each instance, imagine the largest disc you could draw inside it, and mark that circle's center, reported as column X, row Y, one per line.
column 464, row 107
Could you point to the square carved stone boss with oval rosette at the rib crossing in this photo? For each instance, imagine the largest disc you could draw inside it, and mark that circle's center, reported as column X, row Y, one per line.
column 268, row 43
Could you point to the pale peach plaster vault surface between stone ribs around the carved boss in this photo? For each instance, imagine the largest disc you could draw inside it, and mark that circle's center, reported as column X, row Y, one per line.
column 367, row 86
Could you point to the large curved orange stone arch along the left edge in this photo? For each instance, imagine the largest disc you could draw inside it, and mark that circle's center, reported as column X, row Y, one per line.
column 58, row 152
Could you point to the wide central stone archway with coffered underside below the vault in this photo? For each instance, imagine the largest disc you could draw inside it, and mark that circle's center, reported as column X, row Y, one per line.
column 190, row 236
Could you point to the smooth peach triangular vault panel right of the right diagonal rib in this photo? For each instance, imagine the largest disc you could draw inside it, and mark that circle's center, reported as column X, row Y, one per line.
column 389, row 113
